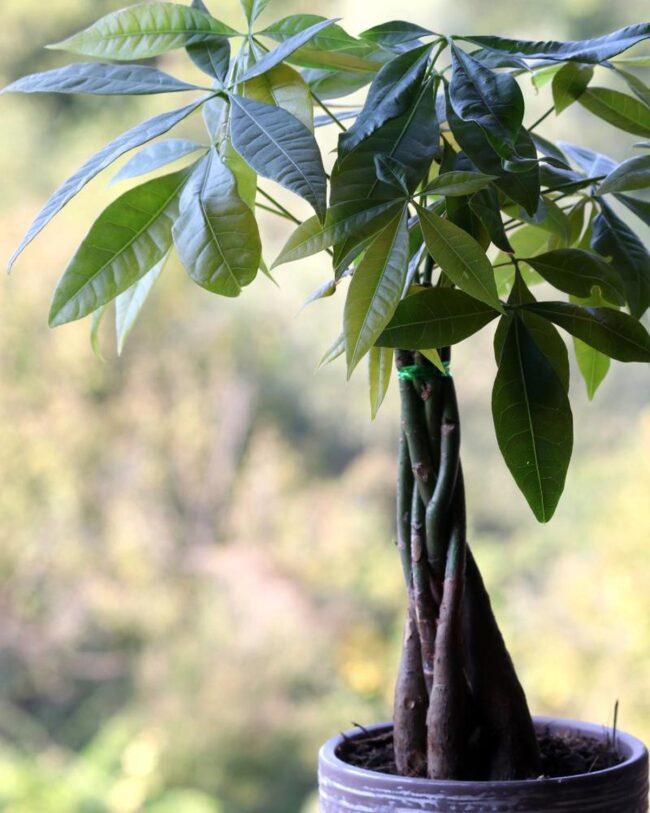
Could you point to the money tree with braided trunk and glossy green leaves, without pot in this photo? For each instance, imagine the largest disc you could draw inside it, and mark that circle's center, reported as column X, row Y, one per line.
column 443, row 210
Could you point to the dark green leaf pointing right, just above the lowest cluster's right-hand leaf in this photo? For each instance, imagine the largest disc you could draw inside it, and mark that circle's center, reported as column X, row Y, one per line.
column 576, row 272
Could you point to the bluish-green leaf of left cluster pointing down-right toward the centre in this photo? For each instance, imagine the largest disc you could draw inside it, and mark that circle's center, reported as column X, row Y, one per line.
column 276, row 145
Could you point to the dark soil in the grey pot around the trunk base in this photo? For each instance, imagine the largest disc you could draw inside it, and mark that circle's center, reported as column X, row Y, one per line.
column 561, row 756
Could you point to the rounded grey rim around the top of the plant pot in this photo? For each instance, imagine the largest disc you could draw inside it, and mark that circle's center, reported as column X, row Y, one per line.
column 637, row 754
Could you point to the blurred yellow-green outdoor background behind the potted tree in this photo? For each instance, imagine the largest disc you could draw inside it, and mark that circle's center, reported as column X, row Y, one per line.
column 198, row 583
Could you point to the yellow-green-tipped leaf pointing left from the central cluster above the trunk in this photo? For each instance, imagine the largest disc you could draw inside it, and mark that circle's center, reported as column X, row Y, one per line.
column 341, row 222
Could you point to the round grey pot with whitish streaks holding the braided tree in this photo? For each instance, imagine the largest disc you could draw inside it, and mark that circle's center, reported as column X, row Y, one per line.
column 622, row 789
